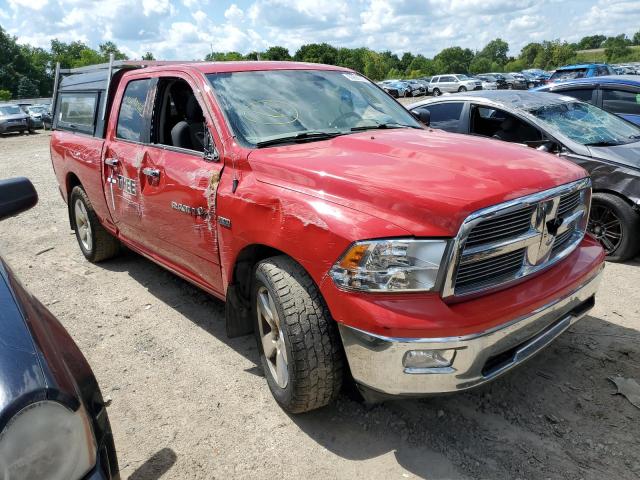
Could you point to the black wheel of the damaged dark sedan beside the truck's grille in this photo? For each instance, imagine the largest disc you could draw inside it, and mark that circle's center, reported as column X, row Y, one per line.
column 616, row 226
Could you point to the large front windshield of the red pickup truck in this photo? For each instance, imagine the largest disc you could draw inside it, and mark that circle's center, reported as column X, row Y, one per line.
column 263, row 106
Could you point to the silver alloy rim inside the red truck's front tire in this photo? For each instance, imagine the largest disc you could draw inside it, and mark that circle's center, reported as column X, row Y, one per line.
column 272, row 337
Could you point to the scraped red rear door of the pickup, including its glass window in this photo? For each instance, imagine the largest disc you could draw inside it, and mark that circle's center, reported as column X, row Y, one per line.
column 127, row 135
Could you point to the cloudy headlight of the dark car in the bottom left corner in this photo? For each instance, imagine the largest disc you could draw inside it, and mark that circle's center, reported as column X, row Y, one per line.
column 47, row 440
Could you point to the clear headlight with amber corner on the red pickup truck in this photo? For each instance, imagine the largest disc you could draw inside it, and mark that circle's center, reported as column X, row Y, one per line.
column 390, row 265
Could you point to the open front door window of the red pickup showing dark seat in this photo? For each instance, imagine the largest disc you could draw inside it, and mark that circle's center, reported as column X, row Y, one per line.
column 178, row 120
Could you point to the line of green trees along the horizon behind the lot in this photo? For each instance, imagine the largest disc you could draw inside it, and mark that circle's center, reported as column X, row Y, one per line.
column 27, row 71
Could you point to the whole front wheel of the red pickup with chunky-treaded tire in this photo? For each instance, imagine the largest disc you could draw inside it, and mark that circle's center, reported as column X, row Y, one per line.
column 304, row 362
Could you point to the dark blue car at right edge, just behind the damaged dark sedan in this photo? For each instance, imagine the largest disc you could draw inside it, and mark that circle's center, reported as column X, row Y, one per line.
column 619, row 94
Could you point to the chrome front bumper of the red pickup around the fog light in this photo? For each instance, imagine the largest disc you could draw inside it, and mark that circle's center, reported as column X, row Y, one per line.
column 376, row 361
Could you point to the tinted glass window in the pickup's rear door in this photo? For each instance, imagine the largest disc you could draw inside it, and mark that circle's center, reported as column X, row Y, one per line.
column 132, row 122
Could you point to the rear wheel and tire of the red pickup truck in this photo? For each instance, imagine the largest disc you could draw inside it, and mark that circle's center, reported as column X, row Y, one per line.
column 95, row 242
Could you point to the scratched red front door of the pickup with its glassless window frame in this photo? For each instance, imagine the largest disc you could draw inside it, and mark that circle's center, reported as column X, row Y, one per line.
column 178, row 184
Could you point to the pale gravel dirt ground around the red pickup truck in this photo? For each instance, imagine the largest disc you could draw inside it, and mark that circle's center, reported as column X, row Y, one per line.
column 189, row 403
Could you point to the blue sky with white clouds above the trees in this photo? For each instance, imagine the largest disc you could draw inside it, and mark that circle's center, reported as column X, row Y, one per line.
column 189, row 29
